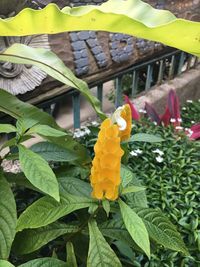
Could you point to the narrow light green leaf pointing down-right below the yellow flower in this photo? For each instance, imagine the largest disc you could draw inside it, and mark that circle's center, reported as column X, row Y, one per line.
column 135, row 227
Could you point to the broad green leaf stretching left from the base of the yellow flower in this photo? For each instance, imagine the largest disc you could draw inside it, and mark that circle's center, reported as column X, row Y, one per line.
column 46, row 210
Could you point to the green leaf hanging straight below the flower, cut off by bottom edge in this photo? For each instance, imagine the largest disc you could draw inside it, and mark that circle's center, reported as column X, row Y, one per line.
column 100, row 253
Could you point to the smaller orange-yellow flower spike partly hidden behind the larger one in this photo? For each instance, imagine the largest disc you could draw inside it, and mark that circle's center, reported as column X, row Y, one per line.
column 127, row 116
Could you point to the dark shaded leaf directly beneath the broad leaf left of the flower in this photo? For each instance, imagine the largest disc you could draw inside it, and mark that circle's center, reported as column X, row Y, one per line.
column 30, row 240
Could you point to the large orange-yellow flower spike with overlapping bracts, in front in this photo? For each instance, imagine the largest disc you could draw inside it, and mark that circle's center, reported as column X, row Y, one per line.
column 105, row 173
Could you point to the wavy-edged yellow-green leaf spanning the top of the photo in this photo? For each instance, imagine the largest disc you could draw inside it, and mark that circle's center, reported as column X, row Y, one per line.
column 133, row 17
